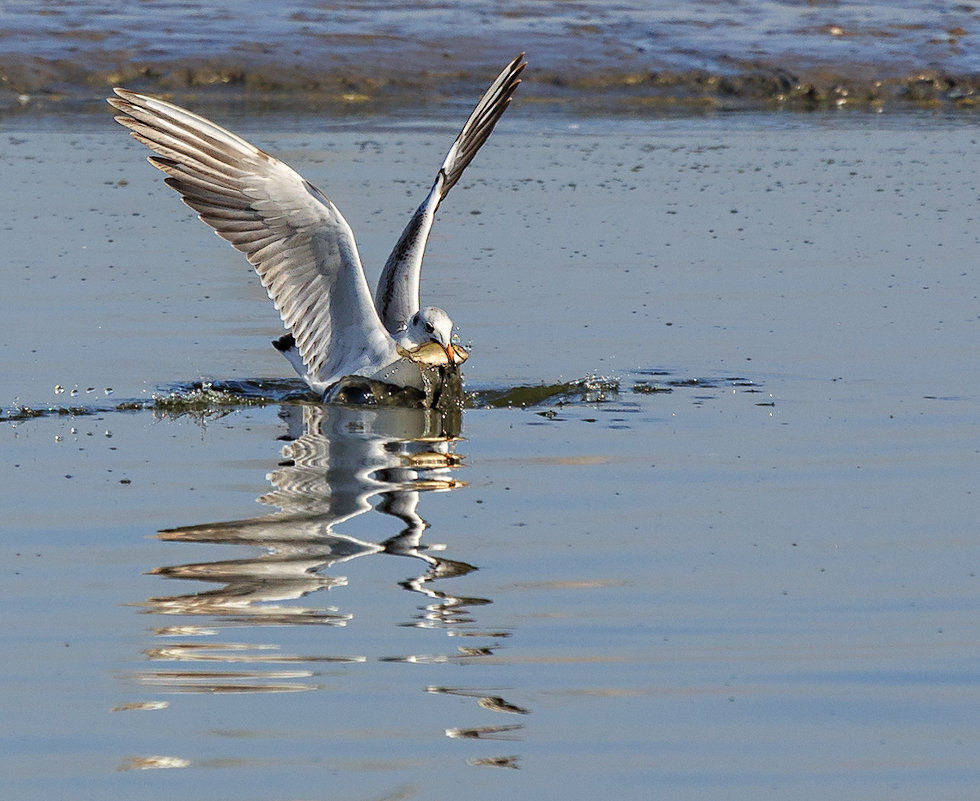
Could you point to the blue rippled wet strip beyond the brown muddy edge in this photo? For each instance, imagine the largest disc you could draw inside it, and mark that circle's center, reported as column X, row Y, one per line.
column 867, row 39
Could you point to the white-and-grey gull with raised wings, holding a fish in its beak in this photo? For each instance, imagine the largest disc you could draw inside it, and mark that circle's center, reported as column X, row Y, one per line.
column 303, row 249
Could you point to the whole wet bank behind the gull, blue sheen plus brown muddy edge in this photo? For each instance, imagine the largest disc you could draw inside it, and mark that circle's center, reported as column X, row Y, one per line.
column 633, row 57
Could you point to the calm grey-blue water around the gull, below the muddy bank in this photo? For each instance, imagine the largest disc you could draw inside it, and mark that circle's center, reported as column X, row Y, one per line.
column 742, row 565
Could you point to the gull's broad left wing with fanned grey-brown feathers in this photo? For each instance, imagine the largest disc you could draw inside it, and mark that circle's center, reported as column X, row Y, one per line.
column 297, row 240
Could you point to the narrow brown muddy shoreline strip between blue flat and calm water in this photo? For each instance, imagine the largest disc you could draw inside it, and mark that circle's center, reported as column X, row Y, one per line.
column 258, row 83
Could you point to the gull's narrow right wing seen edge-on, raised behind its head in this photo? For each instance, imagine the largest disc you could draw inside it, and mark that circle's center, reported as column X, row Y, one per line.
column 397, row 295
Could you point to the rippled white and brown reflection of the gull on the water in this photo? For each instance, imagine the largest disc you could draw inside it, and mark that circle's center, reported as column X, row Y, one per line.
column 338, row 464
